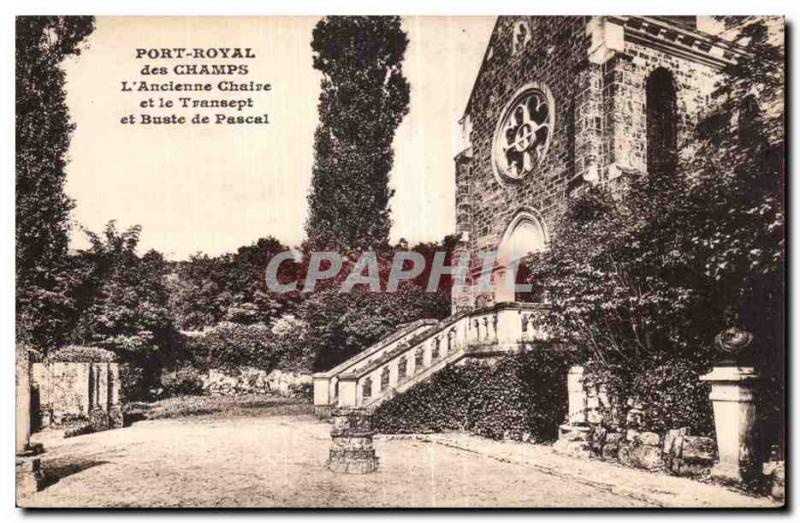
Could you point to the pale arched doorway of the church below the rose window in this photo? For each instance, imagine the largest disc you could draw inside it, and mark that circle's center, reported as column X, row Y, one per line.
column 525, row 234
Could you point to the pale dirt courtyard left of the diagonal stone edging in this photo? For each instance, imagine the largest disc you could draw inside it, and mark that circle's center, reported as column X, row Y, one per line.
column 279, row 461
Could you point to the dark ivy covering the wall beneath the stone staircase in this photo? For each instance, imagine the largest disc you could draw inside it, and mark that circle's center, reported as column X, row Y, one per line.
column 522, row 394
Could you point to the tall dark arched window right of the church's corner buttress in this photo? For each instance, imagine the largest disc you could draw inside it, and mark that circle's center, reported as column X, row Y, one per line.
column 662, row 123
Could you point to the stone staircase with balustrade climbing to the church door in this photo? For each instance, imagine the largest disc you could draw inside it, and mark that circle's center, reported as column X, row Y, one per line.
column 418, row 350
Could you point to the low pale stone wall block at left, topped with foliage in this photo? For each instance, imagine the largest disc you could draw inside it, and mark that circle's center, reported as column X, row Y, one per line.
column 69, row 392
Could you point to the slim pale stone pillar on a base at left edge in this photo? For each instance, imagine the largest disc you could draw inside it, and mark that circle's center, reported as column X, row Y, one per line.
column 28, row 466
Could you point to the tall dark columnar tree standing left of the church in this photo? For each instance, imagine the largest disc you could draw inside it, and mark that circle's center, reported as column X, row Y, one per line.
column 364, row 98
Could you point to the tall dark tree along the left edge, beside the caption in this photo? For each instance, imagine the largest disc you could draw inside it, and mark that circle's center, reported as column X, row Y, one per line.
column 42, row 209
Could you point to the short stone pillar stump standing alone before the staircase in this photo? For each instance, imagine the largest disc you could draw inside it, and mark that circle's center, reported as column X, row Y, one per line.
column 351, row 450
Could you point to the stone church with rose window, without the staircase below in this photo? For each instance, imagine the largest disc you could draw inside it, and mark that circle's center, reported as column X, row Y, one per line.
column 560, row 103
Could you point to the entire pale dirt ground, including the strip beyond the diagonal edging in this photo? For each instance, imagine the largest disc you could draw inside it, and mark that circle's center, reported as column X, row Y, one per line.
column 266, row 451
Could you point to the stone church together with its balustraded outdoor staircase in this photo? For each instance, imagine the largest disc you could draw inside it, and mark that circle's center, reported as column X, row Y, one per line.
column 559, row 104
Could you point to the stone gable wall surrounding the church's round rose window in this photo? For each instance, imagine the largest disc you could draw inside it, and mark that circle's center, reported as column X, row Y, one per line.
column 555, row 57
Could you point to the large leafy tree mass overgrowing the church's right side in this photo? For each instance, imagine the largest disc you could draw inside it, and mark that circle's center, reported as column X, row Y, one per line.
column 644, row 274
